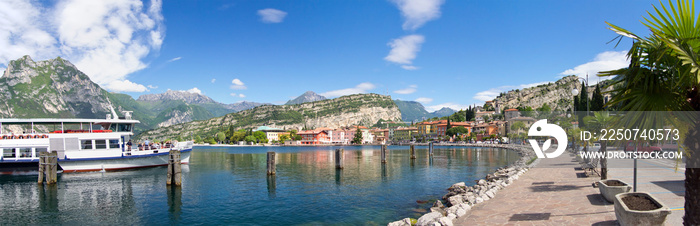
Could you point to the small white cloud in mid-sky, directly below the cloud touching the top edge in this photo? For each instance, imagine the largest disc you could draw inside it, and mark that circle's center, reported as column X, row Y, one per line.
column 404, row 49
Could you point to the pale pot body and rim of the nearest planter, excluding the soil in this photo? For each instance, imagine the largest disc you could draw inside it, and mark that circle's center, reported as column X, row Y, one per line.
column 626, row 216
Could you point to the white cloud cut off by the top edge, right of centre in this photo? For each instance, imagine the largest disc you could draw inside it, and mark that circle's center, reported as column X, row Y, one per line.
column 418, row 12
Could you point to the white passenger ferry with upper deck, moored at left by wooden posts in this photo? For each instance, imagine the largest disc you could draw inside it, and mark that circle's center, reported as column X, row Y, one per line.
column 82, row 145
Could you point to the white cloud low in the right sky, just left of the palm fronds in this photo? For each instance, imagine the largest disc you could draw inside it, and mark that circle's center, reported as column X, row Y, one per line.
column 605, row 61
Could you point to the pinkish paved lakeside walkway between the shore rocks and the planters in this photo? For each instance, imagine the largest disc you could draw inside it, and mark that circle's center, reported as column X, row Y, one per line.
column 552, row 193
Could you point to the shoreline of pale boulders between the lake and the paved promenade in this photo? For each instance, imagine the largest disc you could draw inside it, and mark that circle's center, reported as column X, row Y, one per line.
column 460, row 198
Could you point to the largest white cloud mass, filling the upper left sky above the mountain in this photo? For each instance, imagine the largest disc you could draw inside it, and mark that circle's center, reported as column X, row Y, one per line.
column 105, row 39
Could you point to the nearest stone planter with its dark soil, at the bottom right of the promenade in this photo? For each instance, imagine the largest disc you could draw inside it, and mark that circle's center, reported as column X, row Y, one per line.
column 639, row 208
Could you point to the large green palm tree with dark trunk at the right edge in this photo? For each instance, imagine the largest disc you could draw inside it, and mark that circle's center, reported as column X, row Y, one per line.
column 664, row 75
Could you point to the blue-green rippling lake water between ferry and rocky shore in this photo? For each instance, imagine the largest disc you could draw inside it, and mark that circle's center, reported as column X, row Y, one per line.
column 229, row 185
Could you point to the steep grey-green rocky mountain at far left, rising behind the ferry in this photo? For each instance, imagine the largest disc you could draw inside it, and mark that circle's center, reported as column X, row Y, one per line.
column 51, row 88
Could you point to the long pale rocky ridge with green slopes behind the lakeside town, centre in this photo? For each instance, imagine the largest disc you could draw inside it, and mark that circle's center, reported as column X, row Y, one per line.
column 359, row 109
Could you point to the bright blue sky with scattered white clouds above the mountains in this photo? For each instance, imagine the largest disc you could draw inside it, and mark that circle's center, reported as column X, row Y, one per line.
column 441, row 53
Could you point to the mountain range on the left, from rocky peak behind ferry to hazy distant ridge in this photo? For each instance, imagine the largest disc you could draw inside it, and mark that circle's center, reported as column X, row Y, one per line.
column 55, row 88
